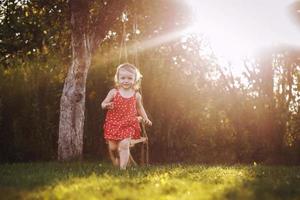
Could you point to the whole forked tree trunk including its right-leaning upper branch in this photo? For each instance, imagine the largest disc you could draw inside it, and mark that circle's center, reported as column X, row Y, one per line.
column 72, row 104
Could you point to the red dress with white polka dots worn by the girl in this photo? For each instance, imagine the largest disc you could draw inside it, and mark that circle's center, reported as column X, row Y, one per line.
column 121, row 122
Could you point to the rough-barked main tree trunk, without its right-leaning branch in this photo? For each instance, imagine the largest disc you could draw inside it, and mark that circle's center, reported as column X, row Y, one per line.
column 72, row 104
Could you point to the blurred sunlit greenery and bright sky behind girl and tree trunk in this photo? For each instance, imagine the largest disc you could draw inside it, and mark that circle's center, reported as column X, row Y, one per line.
column 219, row 85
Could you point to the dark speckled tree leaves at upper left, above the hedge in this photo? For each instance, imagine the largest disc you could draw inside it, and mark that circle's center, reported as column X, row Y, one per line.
column 30, row 29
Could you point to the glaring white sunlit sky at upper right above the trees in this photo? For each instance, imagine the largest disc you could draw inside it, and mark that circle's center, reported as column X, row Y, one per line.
column 238, row 29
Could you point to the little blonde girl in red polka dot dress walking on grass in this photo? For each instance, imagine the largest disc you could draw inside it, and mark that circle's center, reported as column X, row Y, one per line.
column 125, row 111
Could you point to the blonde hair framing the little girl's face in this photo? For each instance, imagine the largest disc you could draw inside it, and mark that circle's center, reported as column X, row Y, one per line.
column 130, row 68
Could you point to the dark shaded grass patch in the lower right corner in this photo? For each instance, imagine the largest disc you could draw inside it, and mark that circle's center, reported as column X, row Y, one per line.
column 267, row 182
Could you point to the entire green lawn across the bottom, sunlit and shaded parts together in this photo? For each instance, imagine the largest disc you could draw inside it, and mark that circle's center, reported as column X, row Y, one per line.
column 101, row 181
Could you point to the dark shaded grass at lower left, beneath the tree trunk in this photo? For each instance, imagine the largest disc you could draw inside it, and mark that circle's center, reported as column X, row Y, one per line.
column 22, row 178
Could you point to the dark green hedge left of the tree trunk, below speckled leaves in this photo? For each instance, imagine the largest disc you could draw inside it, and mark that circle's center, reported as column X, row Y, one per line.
column 30, row 110
